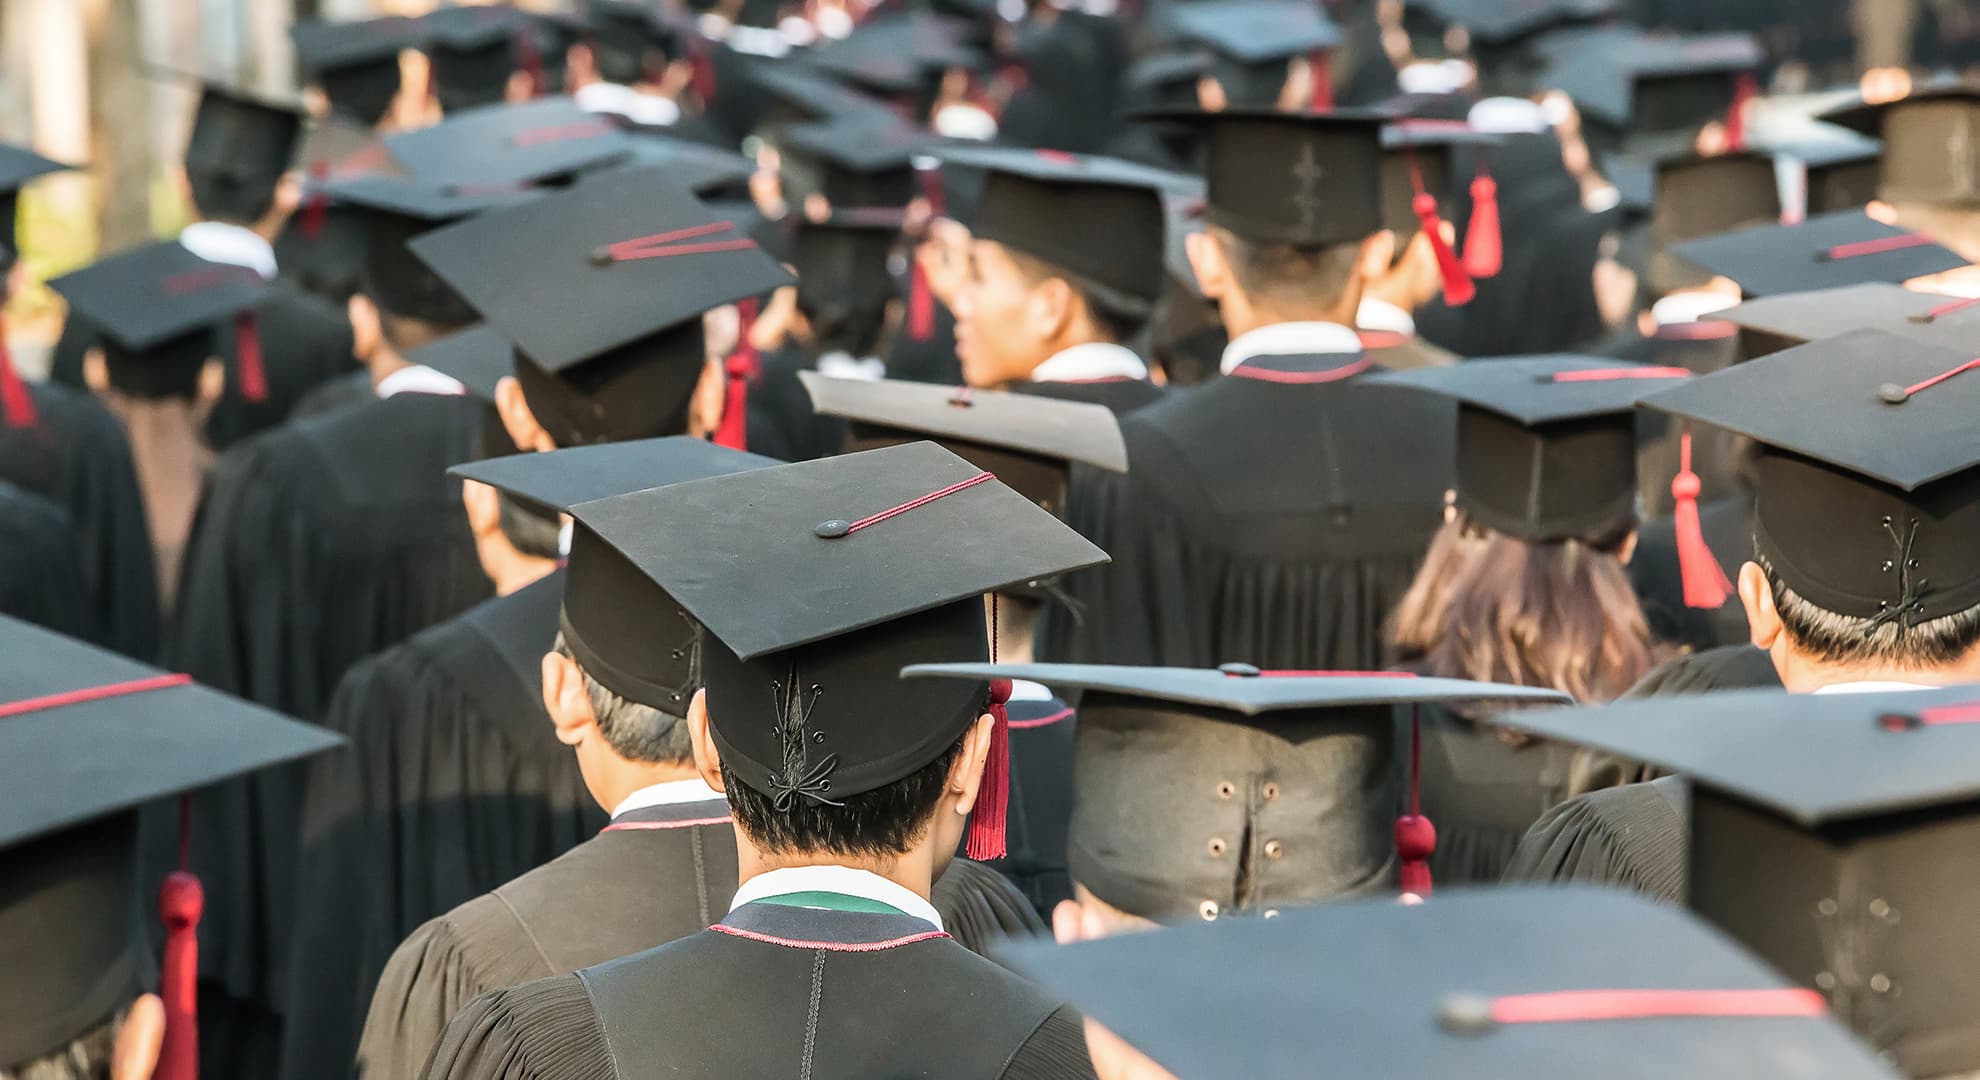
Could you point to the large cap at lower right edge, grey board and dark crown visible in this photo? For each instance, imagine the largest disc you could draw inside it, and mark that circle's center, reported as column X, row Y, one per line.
column 1834, row 835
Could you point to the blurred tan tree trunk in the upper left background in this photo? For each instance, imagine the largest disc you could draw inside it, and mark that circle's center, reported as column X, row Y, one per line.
column 120, row 118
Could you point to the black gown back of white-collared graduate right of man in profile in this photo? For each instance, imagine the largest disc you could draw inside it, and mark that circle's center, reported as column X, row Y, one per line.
column 1272, row 516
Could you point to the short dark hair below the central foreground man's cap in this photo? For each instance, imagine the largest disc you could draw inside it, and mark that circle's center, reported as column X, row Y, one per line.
column 878, row 823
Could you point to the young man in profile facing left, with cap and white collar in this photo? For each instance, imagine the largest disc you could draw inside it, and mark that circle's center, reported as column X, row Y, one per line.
column 1064, row 272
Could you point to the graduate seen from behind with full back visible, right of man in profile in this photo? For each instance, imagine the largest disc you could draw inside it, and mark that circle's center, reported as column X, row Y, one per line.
column 1272, row 516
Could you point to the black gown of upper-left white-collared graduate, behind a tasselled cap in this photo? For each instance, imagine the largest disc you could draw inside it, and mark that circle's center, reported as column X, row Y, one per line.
column 304, row 342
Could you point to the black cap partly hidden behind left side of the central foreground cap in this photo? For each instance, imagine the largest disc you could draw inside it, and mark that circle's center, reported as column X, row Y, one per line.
column 619, row 623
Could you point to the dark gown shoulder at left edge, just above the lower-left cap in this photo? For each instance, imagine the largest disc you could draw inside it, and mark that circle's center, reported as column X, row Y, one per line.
column 41, row 570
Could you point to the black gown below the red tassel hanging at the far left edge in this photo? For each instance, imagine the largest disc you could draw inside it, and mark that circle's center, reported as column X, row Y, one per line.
column 78, row 459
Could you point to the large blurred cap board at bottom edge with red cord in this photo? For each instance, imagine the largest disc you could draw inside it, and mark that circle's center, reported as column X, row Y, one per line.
column 1512, row 982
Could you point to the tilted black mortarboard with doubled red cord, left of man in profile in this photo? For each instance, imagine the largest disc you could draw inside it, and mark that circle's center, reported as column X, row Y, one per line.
column 601, row 290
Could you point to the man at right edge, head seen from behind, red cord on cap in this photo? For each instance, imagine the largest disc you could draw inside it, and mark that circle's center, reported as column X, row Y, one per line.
column 1862, row 574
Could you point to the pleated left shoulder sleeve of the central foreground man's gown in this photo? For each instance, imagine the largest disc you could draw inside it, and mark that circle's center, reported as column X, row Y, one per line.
column 538, row 1031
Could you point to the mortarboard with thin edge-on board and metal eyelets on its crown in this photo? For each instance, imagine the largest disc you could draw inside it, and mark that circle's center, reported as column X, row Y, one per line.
column 1205, row 794
